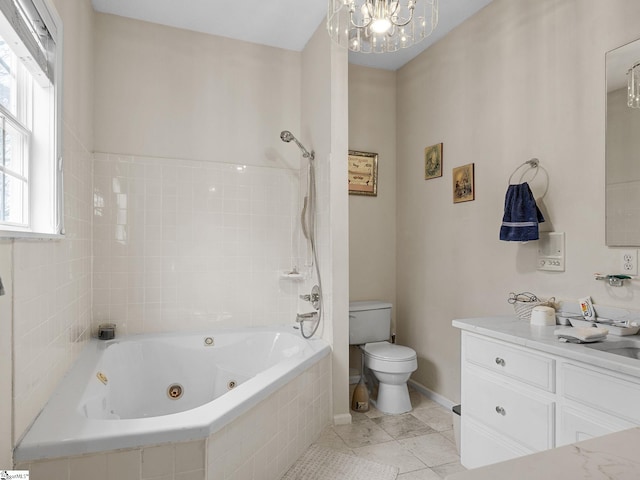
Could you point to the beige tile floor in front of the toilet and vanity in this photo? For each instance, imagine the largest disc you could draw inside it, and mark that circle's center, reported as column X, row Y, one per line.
column 420, row 443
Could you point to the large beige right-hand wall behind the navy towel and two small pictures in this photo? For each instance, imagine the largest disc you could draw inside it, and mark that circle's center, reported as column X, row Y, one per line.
column 518, row 80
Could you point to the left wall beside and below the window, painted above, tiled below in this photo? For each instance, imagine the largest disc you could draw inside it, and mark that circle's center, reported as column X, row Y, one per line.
column 50, row 285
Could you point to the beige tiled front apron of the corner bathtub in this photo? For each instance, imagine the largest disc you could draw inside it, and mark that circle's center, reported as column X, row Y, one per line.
column 260, row 445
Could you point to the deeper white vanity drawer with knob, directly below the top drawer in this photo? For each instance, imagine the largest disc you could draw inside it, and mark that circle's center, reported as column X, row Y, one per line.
column 514, row 412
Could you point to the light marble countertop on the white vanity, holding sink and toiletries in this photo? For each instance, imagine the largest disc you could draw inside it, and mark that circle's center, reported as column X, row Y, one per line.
column 513, row 330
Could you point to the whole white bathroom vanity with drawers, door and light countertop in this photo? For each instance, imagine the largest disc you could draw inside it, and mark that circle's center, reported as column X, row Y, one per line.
column 524, row 391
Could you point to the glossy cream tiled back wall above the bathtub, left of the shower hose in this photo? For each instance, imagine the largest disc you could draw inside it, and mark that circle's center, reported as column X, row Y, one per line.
column 182, row 244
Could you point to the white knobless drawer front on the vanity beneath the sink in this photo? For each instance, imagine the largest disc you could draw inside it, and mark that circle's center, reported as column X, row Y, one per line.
column 607, row 392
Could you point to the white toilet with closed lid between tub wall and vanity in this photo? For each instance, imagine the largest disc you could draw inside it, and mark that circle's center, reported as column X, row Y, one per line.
column 391, row 364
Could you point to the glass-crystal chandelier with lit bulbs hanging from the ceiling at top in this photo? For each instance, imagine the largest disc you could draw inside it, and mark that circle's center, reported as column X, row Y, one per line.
column 380, row 26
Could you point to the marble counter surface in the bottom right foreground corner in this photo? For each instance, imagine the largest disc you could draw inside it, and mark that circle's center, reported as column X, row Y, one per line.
column 612, row 457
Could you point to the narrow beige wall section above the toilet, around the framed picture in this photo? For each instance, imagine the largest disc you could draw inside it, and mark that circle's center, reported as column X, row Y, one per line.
column 372, row 220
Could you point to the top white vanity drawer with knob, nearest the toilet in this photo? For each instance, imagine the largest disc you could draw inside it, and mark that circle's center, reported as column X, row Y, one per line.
column 536, row 370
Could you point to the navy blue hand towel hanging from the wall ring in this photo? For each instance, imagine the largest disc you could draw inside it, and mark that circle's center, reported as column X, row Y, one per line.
column 521, row 215
